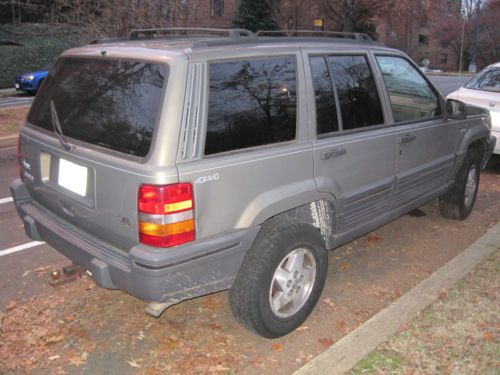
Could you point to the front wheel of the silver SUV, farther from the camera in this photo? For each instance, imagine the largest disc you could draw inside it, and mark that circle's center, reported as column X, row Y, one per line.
column 459, row 201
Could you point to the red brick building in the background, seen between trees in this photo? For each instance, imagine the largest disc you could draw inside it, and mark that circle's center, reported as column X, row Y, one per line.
column 410, row 25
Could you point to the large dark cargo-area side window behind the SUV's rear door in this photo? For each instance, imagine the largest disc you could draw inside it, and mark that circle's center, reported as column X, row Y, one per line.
column 251, row 103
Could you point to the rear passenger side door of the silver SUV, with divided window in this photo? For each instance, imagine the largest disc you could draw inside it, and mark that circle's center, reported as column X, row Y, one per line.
column 354, row 150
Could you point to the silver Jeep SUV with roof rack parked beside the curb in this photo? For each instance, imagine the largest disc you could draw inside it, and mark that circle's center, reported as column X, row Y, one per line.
column 175, row 163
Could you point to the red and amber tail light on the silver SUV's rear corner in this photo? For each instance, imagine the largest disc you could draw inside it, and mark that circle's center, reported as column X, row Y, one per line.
column 166, row 214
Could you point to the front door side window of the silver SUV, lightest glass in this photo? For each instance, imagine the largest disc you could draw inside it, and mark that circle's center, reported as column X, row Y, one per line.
column 411, row 96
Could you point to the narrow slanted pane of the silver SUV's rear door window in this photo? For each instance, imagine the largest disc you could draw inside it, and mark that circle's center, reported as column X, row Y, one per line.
column 326, row 108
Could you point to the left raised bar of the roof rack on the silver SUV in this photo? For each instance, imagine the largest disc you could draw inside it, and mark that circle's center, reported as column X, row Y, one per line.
column 188, row 31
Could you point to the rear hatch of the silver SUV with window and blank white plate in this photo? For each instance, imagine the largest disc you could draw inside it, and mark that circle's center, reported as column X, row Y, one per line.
column 88, row 176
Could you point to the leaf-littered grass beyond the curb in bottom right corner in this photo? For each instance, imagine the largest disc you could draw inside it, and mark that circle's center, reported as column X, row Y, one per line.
column 458, row 334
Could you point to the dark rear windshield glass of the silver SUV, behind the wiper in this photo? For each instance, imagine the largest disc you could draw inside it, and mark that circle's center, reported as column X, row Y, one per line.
column 109, row 103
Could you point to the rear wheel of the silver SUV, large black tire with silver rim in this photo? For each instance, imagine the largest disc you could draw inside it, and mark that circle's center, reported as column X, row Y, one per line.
column 287, row 259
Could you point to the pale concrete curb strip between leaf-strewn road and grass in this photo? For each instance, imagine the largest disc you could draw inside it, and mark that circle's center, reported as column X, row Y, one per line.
column 349, row 350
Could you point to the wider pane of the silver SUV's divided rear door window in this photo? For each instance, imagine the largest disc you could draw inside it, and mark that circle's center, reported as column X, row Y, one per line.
column 357, row 92
